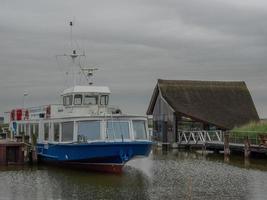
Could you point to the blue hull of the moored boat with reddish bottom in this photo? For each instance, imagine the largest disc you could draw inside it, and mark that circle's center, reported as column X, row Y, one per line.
column 97, row 153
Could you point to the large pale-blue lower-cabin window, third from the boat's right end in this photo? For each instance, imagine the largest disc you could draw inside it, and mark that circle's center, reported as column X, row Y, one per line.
column 89, row 130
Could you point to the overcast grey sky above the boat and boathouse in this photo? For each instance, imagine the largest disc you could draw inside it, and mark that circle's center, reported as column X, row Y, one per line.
column 134, row 42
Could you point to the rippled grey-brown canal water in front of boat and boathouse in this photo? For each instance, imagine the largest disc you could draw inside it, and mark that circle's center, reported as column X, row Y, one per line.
column 163, row 175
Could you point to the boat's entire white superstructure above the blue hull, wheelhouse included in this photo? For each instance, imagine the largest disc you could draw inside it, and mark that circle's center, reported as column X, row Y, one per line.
column 84, row 115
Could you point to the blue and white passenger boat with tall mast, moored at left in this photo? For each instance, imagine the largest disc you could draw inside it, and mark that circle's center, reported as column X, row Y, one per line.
column 83, row 131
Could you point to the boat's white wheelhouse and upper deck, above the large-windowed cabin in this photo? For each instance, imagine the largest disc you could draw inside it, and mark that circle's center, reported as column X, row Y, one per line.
column 77, row 101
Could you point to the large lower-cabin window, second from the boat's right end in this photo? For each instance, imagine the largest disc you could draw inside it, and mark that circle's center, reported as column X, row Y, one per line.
column 118, row 130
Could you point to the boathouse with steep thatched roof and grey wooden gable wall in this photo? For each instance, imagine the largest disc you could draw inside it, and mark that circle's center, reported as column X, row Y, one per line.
column 199, row 105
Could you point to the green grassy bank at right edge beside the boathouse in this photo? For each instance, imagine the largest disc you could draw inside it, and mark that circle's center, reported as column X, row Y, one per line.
column 253, row 129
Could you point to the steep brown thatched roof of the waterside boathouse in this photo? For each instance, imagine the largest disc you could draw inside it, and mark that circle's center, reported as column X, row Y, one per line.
column 224, row 104
